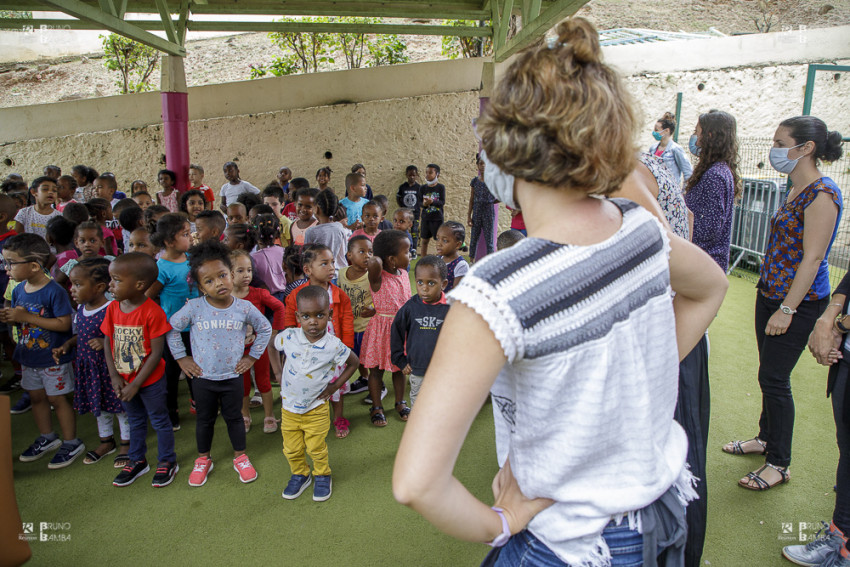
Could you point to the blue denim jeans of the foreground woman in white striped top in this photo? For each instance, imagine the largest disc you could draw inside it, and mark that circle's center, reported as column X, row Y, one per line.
column 525, row 550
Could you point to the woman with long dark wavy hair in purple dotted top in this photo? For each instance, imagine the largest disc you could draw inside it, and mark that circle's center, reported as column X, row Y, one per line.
column 714, row 184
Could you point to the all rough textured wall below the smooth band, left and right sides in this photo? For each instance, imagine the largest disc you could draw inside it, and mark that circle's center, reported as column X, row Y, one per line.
column 388, row 135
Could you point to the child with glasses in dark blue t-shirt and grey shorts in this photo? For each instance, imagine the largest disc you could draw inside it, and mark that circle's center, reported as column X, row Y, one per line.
column 43, row 310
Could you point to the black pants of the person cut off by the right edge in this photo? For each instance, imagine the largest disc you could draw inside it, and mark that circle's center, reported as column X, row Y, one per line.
column 841, row 515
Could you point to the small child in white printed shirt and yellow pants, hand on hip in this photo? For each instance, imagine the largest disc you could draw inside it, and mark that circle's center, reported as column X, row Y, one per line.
column 312, row 358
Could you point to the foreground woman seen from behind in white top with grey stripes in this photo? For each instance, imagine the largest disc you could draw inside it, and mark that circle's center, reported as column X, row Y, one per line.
column 569, row 331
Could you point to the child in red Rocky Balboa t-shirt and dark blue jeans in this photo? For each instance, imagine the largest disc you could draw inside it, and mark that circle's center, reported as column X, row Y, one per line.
column 134, row 327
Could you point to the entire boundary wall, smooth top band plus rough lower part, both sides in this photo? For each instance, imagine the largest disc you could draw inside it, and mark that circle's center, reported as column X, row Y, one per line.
column 416, row 113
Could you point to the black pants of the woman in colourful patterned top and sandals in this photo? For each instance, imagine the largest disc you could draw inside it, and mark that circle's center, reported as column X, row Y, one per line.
column 778, row 354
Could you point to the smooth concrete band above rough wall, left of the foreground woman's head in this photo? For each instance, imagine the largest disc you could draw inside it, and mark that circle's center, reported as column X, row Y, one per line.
column 243, row 98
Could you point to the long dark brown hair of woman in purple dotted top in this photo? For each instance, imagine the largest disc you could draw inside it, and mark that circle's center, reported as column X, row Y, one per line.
column 718, row 142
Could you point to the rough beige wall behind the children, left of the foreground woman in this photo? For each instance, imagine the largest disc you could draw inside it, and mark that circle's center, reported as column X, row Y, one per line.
column 386, row 136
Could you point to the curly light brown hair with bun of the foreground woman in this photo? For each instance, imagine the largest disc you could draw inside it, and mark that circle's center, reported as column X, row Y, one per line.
column 560, row 117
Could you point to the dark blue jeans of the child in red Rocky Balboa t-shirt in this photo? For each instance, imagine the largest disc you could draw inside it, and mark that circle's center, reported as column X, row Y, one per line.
column 150, row 402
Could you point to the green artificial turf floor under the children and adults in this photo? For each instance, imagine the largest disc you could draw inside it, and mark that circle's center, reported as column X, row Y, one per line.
column 226, row 522
